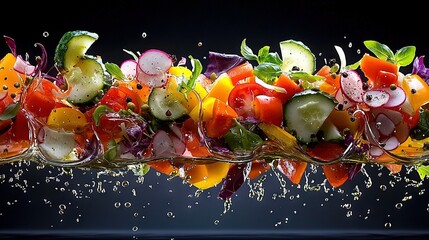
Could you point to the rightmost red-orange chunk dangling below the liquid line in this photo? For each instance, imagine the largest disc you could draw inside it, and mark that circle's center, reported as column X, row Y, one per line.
column 337, row 173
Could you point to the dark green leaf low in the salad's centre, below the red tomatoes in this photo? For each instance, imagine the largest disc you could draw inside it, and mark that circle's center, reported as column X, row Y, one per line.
column 241, row 140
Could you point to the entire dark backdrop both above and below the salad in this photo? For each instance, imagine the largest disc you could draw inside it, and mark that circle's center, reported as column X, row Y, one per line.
column 30, row 201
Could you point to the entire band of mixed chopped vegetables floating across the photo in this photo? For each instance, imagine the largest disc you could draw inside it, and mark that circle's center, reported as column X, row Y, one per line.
column 232, row 120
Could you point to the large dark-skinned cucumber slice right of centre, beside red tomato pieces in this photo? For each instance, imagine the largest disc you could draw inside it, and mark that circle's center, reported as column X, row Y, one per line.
column 306, row 112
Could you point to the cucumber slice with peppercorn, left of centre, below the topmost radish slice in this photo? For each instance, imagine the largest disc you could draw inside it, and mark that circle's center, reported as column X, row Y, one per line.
column 165, row 104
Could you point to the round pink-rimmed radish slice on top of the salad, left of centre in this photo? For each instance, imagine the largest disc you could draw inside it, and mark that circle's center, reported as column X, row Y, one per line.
column 154, row 62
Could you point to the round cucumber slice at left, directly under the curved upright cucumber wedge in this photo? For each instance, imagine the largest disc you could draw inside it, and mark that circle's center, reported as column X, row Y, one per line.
column 86, row 79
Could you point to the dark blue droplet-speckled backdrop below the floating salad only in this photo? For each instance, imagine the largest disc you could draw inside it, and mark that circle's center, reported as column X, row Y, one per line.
column 51, row 202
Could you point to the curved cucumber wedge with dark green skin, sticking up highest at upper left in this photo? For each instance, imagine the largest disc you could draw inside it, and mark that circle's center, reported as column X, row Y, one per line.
column 72, row 47
